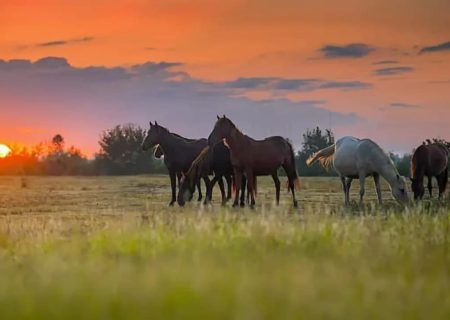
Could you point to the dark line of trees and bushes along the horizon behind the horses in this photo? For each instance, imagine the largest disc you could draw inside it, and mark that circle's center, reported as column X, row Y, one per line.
column 120, row 153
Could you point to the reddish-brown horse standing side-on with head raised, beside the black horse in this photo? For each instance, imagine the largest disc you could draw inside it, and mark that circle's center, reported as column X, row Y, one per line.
column 256, row 158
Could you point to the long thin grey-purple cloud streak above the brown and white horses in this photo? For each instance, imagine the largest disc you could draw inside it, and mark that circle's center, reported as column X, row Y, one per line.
column 307, row 84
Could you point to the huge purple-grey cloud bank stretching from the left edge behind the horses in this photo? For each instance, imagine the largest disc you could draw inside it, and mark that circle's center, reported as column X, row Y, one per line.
column 81, row 102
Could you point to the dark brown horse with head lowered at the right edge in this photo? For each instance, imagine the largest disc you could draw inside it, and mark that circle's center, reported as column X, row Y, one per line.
column 429, row 160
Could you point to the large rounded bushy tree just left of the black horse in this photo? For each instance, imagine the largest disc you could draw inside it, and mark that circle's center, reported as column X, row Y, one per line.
column 121, row 151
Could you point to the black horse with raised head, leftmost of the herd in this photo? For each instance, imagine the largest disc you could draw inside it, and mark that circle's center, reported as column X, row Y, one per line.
column 179, row 153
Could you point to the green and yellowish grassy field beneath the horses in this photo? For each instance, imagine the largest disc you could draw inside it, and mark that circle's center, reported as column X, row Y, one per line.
column 110, row 247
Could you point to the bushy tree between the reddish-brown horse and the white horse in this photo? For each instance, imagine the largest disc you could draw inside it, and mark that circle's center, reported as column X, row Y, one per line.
column 313, row 140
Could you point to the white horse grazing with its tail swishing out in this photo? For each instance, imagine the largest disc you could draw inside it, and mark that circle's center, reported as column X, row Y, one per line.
column 354, row 158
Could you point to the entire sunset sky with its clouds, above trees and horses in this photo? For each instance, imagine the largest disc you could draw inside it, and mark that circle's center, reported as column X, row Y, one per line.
column 375, row 69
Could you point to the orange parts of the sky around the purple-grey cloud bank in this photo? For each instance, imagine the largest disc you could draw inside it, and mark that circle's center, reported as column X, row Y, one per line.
column 220, row 41
